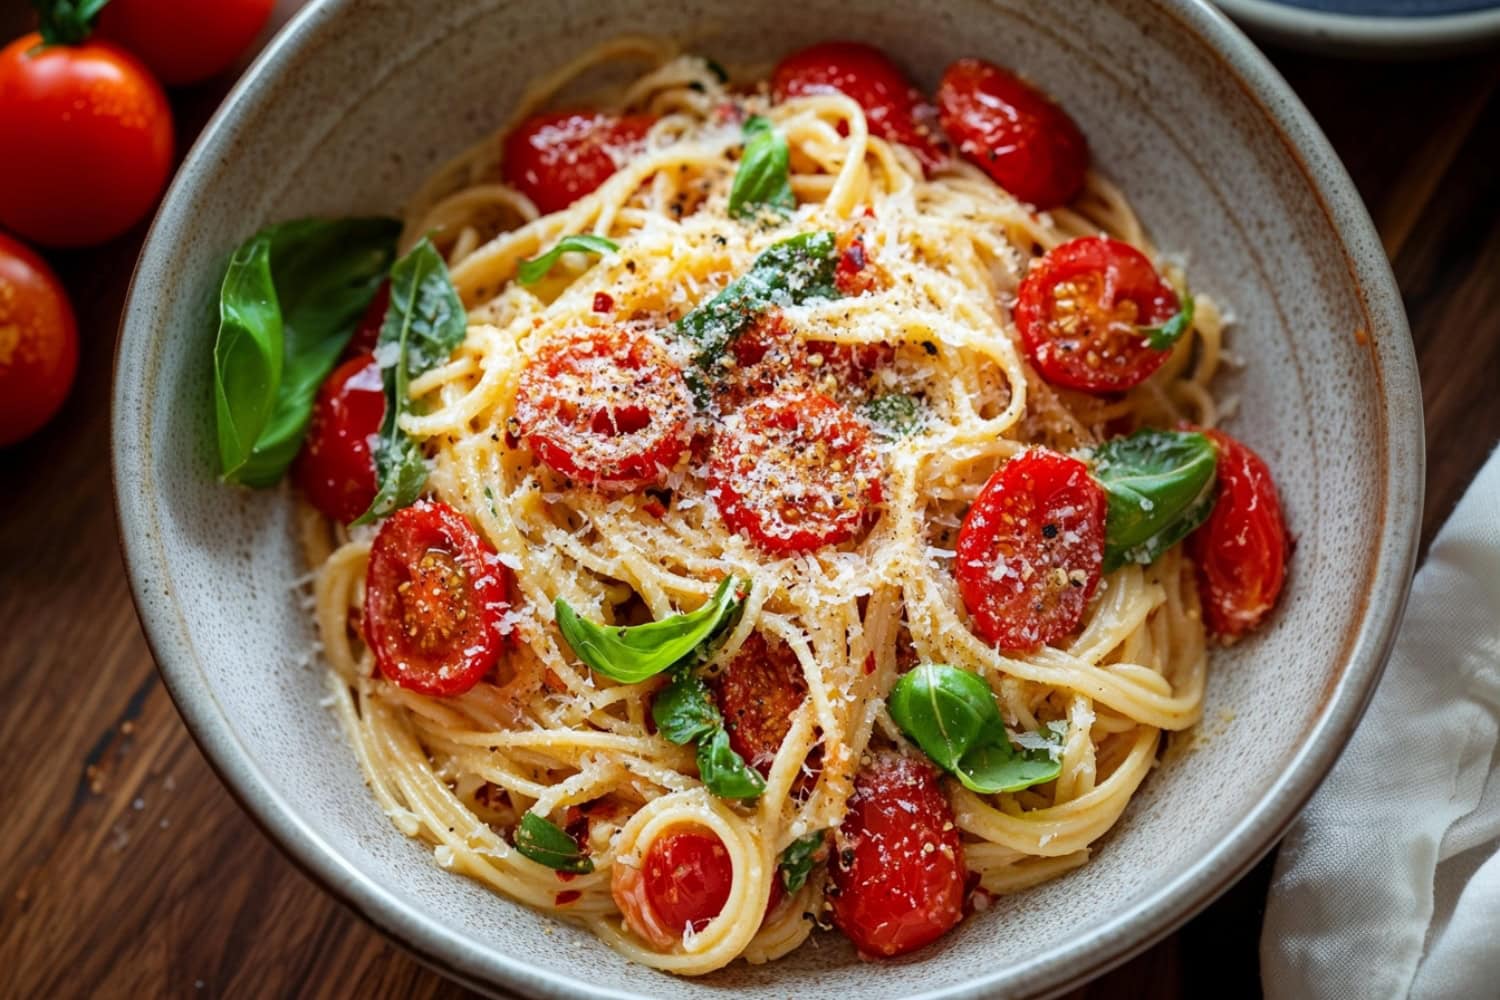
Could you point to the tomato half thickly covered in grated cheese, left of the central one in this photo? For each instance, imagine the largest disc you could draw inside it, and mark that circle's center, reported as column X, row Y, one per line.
column 607, row 407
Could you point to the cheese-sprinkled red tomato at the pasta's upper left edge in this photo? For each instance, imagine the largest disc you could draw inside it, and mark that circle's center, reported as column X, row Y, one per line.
column 560, row 157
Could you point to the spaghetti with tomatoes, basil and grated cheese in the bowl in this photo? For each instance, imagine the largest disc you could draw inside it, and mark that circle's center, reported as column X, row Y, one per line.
column 751, row 507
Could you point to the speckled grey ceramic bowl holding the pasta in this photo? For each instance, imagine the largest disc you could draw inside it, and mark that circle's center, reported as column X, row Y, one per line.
column 358, row 100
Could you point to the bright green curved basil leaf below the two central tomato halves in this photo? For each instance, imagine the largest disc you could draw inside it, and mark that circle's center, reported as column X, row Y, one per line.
column 634, row 653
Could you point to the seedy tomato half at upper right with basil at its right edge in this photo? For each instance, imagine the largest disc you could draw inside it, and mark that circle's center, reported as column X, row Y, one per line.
column 1082, row 311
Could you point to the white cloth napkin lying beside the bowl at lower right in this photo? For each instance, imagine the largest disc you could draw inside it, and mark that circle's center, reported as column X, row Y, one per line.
column 1390, row 884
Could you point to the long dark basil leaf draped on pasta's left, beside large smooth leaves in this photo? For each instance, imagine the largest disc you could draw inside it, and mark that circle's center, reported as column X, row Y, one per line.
column 425, row 323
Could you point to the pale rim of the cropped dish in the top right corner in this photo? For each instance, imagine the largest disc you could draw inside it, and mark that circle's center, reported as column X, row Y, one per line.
column 1372, row 37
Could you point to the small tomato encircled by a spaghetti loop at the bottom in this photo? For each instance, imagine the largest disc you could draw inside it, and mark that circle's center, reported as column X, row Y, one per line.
column 682, row 885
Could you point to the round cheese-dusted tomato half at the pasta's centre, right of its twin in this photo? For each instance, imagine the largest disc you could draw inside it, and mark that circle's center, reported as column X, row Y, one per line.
column 796, row 472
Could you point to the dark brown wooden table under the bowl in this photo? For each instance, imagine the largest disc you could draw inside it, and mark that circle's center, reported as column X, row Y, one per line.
column 128, row 870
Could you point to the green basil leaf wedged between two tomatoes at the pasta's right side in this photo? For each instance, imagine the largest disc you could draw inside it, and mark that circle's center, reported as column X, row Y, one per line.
column 1160, row 487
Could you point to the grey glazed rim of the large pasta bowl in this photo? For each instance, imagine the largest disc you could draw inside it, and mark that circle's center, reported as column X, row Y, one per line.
column 1063, row 968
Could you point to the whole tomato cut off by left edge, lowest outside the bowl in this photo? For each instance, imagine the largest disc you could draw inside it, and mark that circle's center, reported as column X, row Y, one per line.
column 38, row 343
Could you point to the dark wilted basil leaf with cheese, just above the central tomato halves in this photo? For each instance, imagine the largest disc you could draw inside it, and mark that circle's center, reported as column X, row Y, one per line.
column 796, row 271
